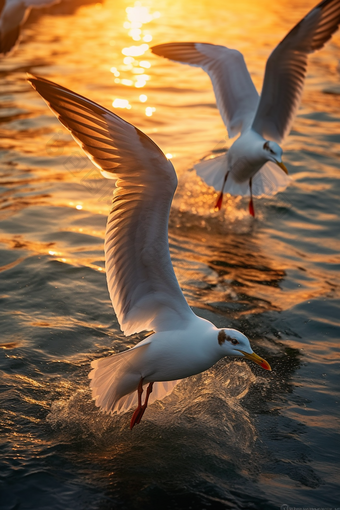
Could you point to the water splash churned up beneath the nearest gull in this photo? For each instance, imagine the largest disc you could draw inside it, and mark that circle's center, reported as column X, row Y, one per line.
column 208, row 404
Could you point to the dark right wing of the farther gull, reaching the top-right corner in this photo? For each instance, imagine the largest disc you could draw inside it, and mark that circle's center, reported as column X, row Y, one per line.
column 286, row 70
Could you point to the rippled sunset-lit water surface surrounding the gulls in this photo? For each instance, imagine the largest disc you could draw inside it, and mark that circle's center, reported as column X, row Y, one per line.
column 234, row 436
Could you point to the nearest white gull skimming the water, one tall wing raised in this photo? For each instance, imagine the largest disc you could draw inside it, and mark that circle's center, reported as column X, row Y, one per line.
column 144, row 291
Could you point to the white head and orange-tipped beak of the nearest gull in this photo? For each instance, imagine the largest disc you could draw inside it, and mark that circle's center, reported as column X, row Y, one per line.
column 234, row 343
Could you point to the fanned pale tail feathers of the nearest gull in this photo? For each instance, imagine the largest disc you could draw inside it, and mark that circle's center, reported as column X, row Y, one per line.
column 115, row 379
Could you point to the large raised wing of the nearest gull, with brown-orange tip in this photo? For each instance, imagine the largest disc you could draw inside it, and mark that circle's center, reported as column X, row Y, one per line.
column 142, row 284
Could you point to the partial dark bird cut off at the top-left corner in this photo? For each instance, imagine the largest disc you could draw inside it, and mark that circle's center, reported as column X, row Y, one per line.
column 13, row 14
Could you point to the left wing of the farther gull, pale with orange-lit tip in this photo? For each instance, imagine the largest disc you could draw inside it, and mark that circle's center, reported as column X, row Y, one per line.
column 235, row 93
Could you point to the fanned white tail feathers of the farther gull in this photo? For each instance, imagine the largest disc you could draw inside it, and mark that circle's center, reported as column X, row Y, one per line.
column 267, row 182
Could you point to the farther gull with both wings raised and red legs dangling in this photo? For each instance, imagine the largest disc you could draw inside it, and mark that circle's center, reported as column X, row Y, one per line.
column 253, row 165
